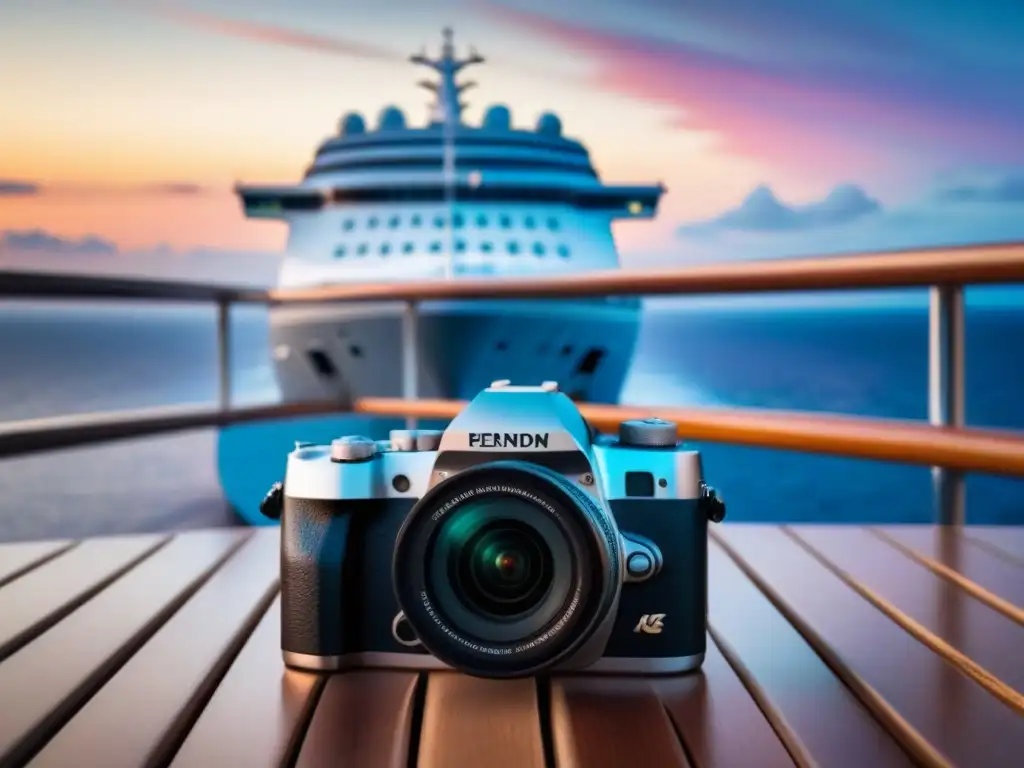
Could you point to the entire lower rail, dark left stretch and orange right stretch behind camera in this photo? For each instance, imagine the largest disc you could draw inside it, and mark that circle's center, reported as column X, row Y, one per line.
column 991, row 452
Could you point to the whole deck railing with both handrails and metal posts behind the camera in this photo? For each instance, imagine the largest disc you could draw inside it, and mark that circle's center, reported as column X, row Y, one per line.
column 945, row 443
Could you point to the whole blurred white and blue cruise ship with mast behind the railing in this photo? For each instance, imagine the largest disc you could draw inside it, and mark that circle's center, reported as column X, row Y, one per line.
column 446, row 200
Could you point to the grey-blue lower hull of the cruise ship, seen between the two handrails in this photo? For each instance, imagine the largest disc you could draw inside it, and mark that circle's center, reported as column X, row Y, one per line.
column 348, row 352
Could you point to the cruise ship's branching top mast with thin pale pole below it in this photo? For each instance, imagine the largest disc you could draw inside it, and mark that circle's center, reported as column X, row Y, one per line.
column 447, row 110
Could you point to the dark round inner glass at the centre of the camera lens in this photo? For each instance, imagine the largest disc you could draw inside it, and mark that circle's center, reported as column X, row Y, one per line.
column 504, row 570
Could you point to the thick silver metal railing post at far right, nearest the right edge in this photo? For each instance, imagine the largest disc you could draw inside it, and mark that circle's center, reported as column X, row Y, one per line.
column 946, row 393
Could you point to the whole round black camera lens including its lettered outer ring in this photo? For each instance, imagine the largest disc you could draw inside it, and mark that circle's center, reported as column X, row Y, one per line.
column 505, row 570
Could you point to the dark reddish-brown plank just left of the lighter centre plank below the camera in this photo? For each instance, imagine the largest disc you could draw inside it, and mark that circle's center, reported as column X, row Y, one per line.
column 364, row 718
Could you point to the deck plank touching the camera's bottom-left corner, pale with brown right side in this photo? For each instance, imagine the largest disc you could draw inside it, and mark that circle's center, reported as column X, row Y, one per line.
column 257, row 717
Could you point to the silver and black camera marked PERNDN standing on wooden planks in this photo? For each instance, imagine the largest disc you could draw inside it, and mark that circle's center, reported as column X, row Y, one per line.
column 515, row 543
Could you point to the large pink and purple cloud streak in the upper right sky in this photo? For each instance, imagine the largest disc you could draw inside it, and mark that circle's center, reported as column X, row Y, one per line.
column 789, row 122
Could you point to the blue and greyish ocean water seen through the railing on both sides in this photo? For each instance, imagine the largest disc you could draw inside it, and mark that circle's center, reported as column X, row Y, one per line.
column 58, row 360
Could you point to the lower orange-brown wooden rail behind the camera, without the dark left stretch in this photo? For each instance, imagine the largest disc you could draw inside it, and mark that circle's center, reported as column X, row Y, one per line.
column 992, row 452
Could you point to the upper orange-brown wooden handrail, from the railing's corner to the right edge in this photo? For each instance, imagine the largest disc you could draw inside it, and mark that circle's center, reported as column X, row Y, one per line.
column 964, row 266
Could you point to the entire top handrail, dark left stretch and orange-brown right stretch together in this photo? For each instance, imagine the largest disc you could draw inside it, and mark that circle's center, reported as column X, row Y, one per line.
column 962, row 266
